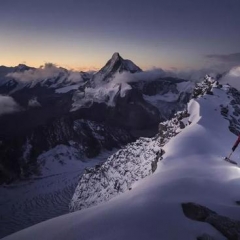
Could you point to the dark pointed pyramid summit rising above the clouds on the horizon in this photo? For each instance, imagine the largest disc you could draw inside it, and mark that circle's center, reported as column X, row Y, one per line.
column 115, row 65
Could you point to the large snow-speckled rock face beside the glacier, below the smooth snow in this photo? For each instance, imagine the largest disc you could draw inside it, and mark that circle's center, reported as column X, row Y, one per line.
column 136, row 161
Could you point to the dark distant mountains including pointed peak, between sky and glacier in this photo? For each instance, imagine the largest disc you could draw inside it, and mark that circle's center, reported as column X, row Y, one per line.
column 54, row 106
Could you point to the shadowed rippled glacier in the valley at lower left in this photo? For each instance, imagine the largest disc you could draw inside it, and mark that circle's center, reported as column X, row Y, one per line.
column 32, row 201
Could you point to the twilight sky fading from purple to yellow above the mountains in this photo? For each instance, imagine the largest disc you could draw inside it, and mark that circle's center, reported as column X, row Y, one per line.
column 83, row 34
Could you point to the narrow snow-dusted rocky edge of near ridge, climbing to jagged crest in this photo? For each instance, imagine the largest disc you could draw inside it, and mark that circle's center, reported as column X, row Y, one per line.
column 136, row 160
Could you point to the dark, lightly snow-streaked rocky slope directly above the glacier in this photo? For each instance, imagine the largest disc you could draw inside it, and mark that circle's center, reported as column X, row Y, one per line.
column 19, row 154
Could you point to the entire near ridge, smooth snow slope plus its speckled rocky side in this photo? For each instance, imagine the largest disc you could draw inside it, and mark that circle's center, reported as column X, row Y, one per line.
column 174, row 185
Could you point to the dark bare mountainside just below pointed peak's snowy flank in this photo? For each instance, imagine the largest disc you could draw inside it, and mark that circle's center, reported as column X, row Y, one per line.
column 130, row 112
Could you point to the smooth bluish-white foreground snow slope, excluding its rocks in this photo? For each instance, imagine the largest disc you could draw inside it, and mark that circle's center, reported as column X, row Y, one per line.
column 192, row 169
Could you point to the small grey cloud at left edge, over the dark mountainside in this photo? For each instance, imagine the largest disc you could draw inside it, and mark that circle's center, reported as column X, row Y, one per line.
column 8, row 105
